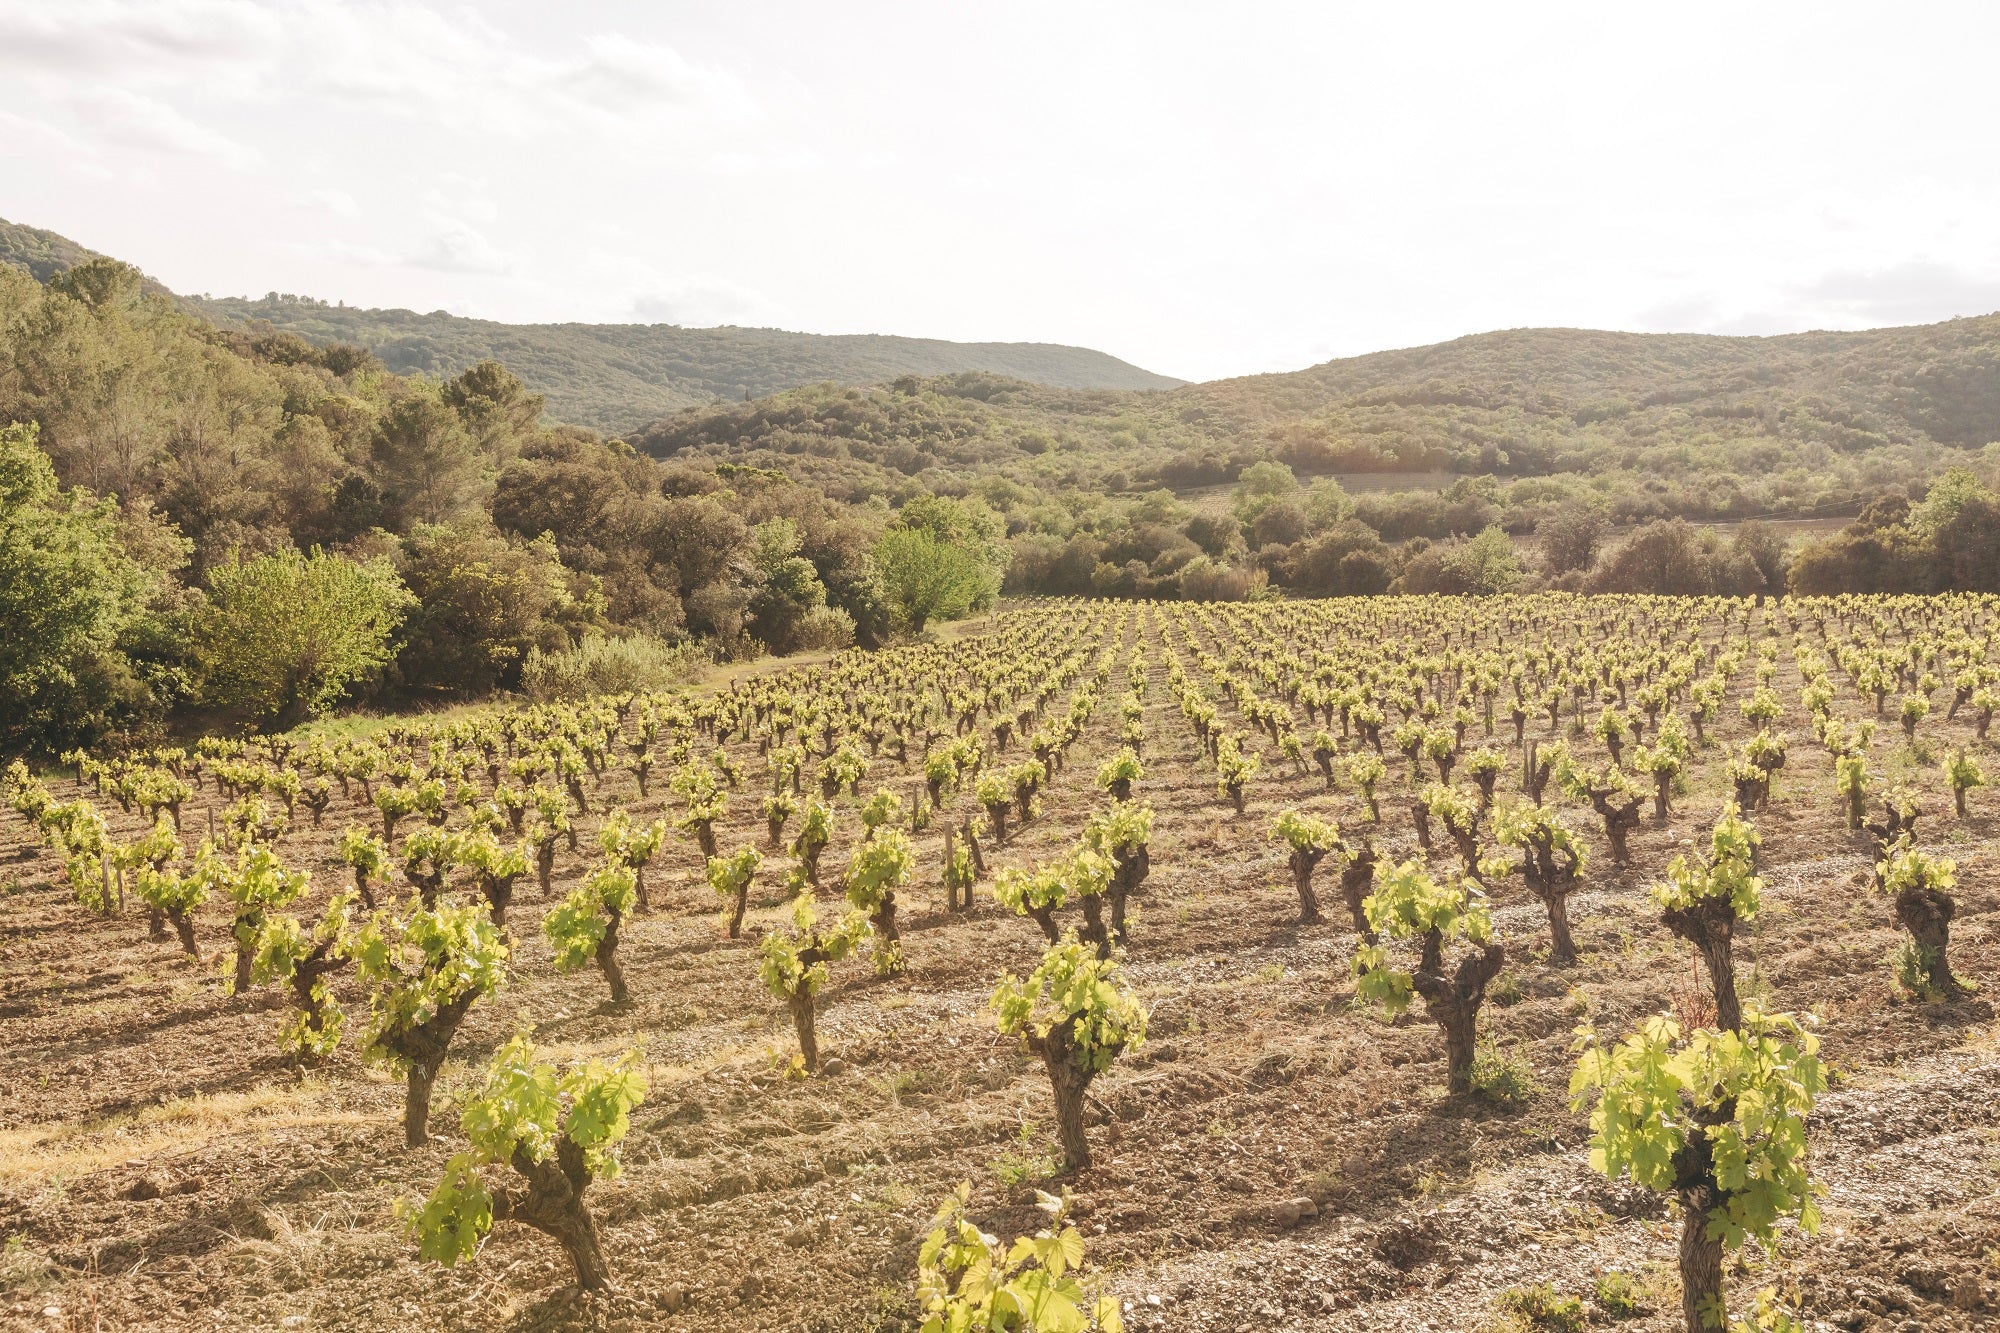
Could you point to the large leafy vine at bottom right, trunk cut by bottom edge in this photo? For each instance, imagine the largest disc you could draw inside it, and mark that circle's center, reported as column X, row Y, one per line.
column 1717, row 1120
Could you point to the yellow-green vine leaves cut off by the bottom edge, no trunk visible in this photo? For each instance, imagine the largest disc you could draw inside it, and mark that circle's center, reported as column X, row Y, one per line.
column 969, row 1284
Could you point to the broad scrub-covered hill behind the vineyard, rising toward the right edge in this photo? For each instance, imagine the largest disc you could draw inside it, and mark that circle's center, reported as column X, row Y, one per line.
column 1647, row 423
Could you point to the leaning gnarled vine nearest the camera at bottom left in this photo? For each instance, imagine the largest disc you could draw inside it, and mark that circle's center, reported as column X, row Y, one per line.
column 559, row 1134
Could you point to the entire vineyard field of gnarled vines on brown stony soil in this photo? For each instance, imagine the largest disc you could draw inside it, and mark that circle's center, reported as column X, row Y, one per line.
column 1379, row 964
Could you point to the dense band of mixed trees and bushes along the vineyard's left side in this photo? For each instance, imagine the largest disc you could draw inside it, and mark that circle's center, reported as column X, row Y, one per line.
column 201, row 521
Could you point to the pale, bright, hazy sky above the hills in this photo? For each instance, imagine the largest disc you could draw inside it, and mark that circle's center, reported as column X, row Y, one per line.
column 1201, row 189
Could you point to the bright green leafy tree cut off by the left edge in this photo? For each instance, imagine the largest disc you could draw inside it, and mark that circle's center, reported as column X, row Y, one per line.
column 69, row 593
